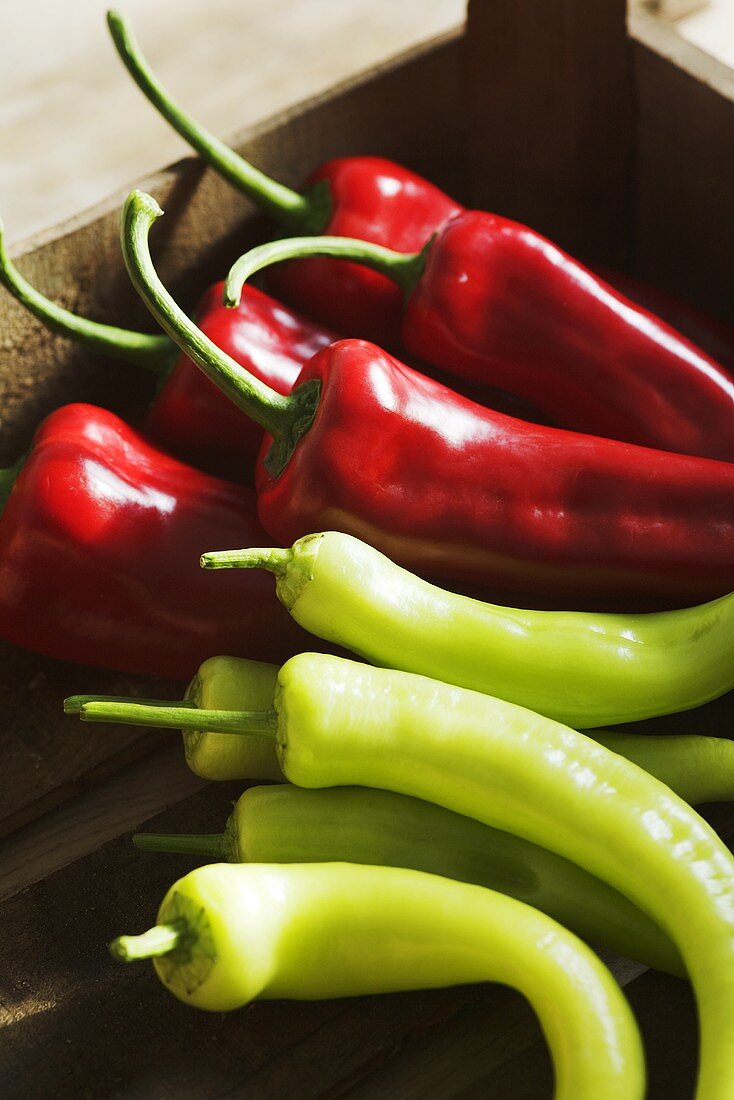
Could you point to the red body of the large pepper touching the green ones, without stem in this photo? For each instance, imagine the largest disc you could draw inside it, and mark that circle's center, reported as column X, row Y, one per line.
column 453, row 490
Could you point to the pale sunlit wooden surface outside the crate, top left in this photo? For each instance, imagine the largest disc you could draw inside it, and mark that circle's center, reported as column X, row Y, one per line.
column 74, row 128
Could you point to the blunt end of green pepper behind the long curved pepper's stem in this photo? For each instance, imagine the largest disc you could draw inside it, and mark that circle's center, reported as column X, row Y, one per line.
column 222, row 685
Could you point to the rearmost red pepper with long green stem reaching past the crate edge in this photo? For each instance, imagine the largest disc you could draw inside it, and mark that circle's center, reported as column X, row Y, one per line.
column 355, row 196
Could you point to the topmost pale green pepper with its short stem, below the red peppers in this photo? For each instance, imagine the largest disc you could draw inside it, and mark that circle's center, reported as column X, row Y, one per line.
column 580, row 668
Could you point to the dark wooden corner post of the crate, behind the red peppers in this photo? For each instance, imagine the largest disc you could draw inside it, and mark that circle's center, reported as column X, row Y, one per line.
column 551, row 111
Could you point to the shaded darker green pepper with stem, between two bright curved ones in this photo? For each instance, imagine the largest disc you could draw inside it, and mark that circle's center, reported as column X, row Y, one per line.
column 284, row 824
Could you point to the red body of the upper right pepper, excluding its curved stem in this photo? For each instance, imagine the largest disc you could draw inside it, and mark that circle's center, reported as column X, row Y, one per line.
column 501, row 304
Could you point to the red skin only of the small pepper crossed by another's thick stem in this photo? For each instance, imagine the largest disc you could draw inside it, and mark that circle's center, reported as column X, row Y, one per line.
column 193, row 420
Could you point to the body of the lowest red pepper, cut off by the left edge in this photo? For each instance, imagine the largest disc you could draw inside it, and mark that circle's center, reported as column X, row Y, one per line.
column 100, row 556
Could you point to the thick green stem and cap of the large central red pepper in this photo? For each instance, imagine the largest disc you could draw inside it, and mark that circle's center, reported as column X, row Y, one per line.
column 288, row 417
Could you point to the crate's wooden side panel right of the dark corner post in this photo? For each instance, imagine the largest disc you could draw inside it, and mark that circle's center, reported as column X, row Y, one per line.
column 685, row 204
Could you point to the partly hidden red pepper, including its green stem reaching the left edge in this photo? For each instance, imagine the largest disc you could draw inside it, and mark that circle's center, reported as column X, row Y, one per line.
column 189, row 416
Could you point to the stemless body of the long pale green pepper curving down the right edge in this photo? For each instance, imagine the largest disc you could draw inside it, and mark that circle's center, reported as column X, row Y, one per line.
column 343, row 724
